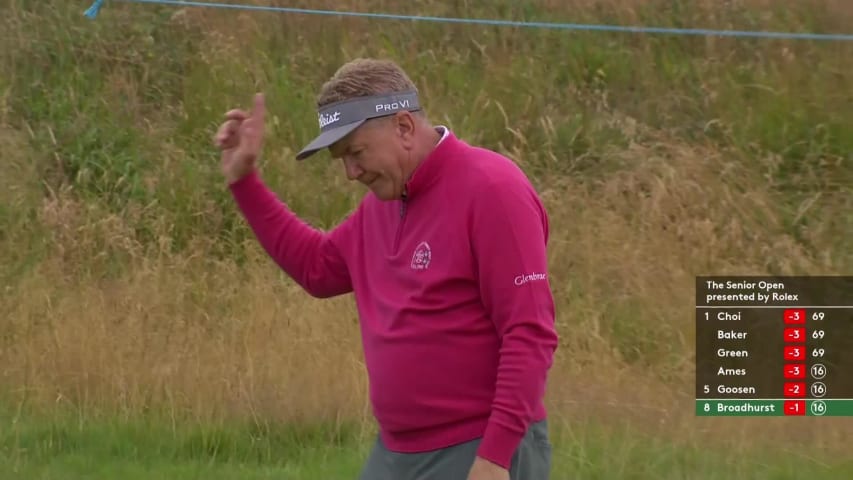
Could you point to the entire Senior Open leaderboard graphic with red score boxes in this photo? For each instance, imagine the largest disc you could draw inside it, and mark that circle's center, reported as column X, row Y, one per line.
column 774, row 346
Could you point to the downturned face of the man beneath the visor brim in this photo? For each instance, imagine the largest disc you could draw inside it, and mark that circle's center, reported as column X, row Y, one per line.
column 373, row 154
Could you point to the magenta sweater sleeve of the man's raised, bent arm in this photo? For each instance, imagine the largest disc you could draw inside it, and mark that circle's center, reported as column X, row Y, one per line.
column 311, row 257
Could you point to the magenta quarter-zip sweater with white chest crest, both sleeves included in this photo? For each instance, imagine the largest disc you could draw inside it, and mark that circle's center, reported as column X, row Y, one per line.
column 452, row 290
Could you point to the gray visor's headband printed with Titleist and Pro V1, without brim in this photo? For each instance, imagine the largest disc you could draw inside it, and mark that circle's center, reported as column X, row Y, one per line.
column 363, row 108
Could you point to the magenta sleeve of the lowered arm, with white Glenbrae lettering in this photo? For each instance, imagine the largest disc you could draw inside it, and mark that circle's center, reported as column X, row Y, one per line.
column 509, row 231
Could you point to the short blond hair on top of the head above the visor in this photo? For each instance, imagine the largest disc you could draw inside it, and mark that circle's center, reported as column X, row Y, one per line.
column 363, row 77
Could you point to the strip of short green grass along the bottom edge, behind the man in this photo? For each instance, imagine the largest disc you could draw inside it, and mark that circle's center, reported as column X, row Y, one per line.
column 70, row 448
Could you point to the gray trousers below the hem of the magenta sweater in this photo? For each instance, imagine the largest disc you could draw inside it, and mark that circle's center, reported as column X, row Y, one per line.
column 532, row 460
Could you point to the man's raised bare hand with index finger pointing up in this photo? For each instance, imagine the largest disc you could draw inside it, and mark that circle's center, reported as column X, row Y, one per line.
column 240, row 138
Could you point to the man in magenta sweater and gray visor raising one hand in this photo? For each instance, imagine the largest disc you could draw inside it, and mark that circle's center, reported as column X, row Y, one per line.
column 446, row 257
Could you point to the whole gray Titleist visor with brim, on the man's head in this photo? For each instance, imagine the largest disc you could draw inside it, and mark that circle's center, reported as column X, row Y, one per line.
column 337, row 120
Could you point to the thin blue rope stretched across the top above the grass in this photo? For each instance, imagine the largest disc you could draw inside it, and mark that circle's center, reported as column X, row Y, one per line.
column 92, row 12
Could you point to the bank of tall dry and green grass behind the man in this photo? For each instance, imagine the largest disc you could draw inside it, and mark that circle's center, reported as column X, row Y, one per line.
column 130, row 285
